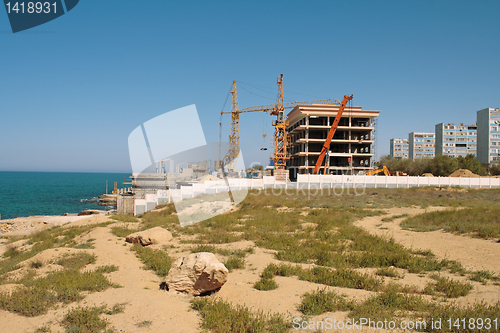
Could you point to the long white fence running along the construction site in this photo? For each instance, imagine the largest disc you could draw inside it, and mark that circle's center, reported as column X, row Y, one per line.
column 307, row 182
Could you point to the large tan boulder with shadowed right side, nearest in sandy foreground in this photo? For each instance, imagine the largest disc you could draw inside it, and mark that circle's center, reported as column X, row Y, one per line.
column 196, row 274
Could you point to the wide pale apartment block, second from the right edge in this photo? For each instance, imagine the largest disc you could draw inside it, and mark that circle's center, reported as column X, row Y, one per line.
column 456, row 140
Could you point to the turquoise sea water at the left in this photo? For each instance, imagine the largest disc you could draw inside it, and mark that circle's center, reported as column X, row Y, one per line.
column 52, row 193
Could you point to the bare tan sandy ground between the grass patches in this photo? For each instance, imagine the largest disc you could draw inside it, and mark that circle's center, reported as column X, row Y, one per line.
column 170, row 311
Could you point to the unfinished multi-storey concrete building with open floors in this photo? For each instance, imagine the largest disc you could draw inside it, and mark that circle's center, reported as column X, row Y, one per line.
column 351, row 149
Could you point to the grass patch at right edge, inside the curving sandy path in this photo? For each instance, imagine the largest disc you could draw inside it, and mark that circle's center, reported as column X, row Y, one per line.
column 481, row 221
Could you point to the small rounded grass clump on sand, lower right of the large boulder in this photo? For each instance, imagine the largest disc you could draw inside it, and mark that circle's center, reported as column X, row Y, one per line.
column 321, row 301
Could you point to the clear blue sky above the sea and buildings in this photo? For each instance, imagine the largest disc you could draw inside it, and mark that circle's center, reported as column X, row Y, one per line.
column 73, row 89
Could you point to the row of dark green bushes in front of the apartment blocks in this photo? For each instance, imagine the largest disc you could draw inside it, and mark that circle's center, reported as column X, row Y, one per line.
column 439, row 166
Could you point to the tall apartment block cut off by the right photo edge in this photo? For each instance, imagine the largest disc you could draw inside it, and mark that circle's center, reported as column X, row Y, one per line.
column 488, row 135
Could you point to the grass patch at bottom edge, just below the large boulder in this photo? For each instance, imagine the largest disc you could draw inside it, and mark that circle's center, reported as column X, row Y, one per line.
column 221, row 316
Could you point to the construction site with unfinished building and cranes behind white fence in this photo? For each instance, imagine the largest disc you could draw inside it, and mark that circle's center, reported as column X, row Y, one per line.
column 310, row 137
